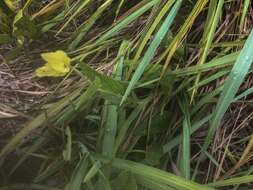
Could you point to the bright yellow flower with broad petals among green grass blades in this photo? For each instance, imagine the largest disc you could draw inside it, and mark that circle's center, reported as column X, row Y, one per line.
column 57, row 64
